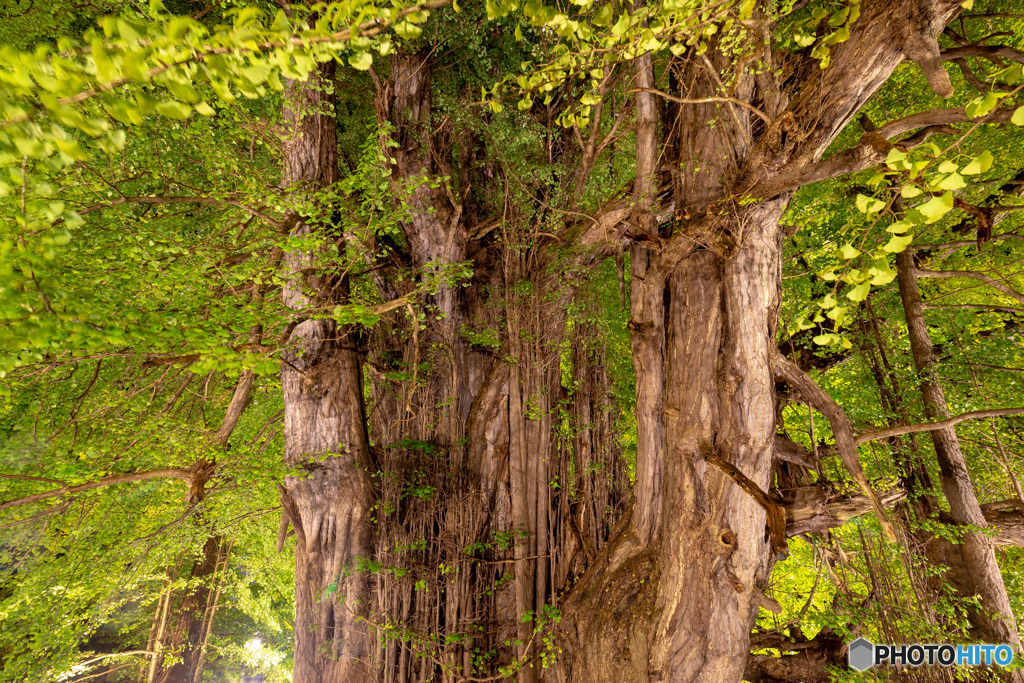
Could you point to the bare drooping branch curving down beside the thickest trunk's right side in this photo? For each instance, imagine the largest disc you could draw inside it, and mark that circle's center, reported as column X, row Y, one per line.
column 788, row 371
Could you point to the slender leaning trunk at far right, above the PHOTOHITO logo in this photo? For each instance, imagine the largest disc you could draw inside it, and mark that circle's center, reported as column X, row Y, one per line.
column 974, row 570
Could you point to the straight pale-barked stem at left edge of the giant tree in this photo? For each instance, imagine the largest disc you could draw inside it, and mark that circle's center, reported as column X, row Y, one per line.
column 325, row 426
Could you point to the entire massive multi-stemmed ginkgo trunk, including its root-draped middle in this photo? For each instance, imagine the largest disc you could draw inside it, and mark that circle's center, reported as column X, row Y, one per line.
column 467, row 445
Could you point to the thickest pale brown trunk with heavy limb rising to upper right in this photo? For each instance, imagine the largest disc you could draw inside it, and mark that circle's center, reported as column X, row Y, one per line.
column 674, row 594
